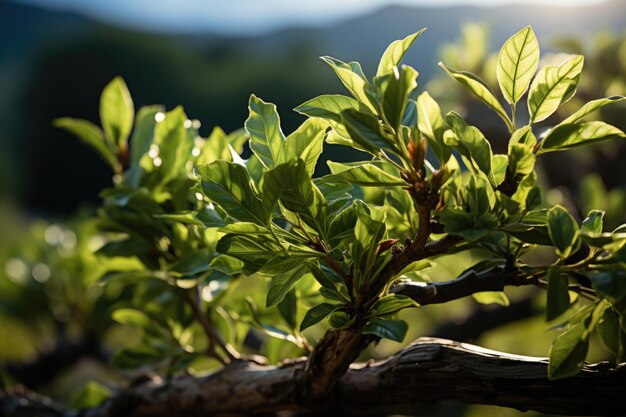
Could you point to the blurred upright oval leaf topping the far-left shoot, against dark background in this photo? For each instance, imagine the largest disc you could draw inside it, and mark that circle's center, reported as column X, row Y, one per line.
column 116, row 112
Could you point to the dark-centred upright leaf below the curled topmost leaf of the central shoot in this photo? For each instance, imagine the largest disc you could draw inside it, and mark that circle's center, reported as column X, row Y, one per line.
column 395, row 89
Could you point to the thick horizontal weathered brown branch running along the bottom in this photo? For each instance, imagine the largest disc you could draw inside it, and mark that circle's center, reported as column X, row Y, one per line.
column 429, row 370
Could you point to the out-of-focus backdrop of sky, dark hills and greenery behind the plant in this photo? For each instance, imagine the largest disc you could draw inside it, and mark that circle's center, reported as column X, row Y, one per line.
column 57, row 55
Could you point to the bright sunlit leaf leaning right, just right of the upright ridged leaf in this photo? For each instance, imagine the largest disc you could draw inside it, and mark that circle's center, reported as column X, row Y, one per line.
column 304, row 143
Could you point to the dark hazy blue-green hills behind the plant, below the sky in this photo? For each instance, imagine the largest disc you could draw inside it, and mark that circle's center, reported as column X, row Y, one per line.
column 55, row 64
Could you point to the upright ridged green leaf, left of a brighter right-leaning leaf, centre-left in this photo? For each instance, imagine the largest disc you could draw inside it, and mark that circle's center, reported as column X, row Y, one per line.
column 263, row 126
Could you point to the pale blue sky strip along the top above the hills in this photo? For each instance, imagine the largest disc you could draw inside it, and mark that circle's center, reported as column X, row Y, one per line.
column 246, row 16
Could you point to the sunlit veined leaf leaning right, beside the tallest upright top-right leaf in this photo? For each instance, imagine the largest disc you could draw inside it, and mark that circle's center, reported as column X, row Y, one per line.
column 552, row 87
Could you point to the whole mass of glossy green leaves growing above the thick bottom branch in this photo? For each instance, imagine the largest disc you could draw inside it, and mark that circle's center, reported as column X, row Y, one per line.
column 218, row 245
